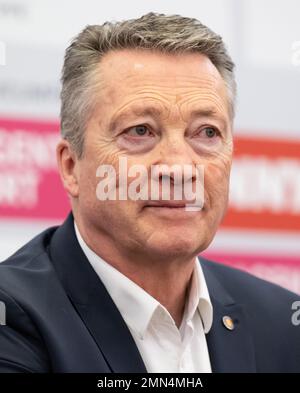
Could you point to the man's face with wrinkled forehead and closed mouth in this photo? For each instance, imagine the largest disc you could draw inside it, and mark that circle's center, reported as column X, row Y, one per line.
column 157, row 109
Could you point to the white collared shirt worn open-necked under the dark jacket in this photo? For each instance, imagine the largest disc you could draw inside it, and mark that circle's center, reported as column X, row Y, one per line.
column 163, row 347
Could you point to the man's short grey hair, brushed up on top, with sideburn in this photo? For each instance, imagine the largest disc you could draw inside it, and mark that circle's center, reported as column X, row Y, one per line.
column 153, row 31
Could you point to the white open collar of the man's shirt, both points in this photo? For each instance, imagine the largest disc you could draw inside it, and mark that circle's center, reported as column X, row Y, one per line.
column 136, row 306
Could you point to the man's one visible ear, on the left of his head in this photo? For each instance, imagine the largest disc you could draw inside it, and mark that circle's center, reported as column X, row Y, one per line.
column 67, row 166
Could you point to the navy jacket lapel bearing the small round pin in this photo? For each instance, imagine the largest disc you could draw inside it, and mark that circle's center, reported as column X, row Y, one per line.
column 229, row 350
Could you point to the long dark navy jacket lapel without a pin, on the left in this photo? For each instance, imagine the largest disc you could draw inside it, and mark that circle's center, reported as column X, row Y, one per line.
column 93, row 303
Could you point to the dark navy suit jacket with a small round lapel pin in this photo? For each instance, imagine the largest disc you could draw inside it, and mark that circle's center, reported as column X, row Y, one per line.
column 60, row 318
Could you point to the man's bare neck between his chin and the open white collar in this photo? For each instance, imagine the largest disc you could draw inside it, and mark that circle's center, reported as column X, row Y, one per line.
column 165, row 279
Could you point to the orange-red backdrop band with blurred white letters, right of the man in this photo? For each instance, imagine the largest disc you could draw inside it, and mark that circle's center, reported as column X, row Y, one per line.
column 279, row 162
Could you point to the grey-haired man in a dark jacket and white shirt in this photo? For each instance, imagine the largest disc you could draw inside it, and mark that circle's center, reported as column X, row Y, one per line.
column 118, row 287
